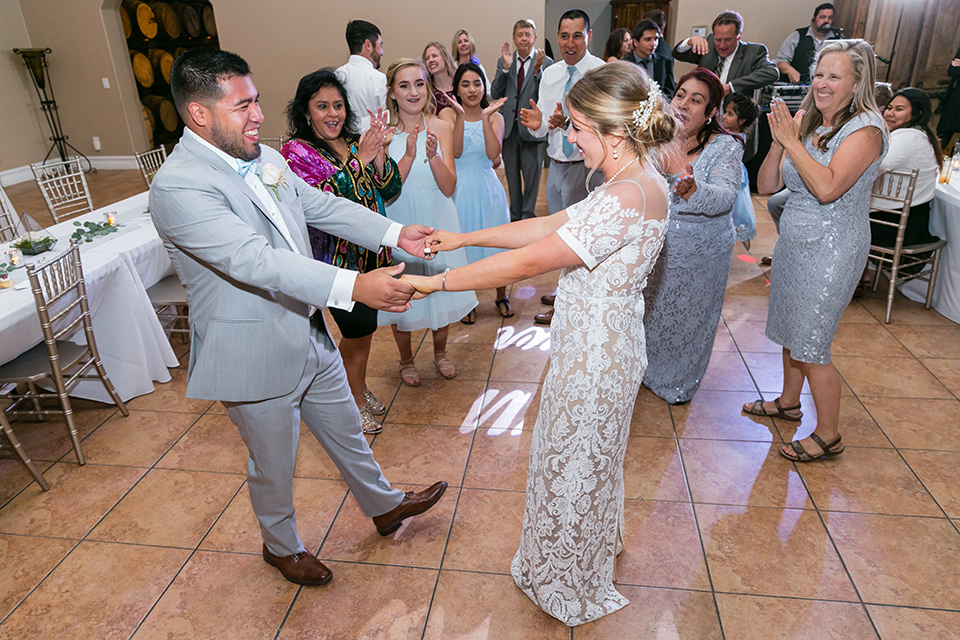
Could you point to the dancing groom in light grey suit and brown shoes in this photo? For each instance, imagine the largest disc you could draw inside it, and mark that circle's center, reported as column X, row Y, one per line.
column 258, row 341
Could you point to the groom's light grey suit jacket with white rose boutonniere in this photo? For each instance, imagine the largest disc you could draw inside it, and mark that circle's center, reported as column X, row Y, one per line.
column 249, row 294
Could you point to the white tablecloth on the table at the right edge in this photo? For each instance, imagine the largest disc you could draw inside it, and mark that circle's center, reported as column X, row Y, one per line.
column 945, row 224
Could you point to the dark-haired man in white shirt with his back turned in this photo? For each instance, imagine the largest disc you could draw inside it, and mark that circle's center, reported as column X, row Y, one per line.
column 366, row 87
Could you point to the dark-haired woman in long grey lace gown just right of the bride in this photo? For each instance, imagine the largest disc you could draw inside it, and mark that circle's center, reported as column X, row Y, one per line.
column 685, row 293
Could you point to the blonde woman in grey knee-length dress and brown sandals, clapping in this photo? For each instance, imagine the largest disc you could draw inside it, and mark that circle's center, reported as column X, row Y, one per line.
column 828, row 156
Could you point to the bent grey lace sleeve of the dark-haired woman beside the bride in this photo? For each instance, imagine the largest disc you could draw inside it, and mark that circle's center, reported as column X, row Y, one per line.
column 717, row 173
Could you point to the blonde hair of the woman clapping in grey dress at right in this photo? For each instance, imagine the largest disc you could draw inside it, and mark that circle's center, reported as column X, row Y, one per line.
column 864, row 65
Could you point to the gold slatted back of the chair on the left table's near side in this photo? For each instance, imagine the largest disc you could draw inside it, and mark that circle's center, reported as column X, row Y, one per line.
column 61, row 298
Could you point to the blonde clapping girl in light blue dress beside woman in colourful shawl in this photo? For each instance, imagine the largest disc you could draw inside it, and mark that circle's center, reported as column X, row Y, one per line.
column 423, row 150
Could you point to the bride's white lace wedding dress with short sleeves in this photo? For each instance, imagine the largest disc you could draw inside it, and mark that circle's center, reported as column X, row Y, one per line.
column 574, row 502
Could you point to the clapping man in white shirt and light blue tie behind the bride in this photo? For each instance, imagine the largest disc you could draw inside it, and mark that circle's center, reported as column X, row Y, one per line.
column 566, row 179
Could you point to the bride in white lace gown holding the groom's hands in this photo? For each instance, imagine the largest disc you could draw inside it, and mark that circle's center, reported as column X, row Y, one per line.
column 605, row 245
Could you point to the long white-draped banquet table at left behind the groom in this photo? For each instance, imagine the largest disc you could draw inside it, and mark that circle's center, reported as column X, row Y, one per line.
column 118, row 268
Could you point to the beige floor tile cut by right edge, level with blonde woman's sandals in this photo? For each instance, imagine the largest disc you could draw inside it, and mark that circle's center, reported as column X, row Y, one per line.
column 917, row 424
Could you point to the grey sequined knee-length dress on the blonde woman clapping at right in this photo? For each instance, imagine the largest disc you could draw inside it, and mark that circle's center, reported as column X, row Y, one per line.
column 820, row 254
